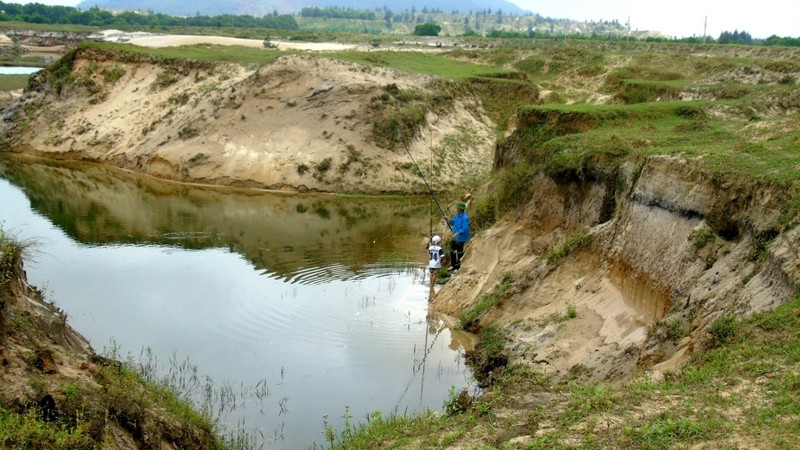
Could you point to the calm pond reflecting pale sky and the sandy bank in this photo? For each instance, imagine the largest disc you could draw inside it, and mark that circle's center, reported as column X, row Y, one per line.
column 318, row 303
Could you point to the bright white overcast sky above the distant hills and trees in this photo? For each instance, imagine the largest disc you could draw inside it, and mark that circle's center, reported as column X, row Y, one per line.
column 678, row 18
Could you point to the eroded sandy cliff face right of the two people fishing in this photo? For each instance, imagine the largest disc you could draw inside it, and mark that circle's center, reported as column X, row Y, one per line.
column 671, row 250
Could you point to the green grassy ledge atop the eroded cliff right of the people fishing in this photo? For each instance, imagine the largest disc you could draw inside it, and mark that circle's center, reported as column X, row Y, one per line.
column 573, row 141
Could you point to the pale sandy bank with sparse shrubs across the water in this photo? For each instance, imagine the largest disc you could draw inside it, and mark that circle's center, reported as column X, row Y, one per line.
column 301, row 122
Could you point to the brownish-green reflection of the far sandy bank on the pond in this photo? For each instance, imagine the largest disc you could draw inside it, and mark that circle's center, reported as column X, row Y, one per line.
column 302, row 238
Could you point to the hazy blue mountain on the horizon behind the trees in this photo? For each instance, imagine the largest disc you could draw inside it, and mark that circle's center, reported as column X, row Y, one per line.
column 260, row 8
